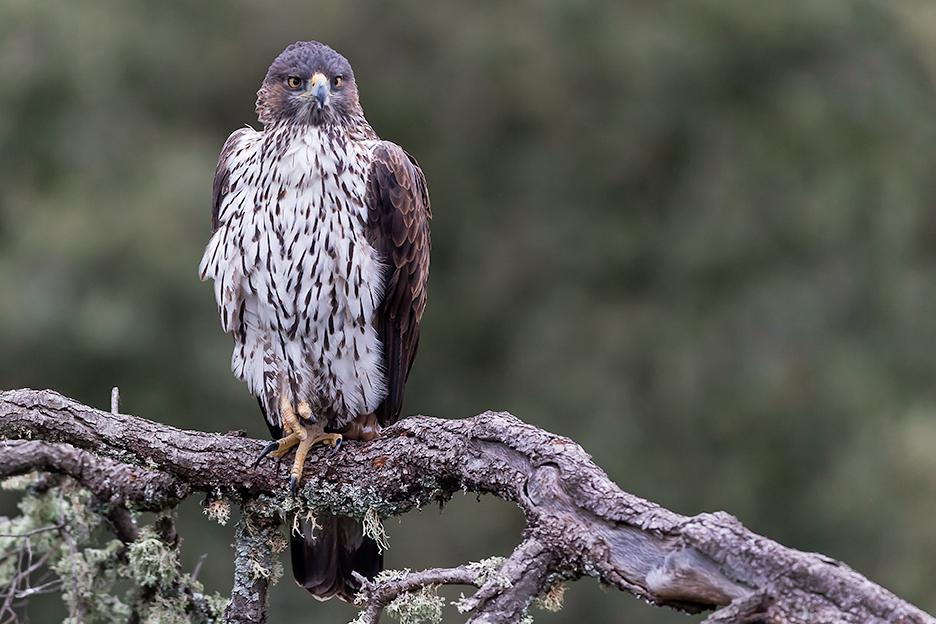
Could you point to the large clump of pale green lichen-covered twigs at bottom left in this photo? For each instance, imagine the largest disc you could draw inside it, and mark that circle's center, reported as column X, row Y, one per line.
column 61, row 524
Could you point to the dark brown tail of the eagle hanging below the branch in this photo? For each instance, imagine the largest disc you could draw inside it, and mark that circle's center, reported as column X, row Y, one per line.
column 323, row 562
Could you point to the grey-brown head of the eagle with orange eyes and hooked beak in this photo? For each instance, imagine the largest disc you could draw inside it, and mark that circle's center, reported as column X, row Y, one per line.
column 309, row 83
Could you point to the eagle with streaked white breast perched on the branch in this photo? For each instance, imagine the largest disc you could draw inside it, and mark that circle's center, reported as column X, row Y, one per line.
column 319, row 257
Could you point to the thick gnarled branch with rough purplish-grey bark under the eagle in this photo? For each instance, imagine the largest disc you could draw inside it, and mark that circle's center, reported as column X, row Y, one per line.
column 578, row 521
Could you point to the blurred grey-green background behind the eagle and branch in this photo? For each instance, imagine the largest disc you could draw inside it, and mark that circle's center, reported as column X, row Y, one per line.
column 697, row 237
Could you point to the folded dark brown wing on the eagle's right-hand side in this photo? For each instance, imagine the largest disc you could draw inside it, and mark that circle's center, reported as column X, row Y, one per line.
column 398, row 228
